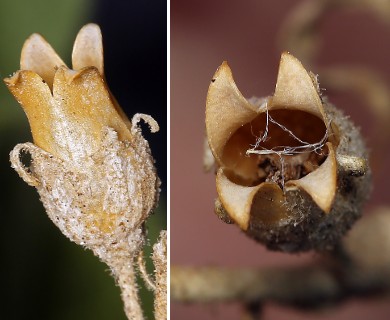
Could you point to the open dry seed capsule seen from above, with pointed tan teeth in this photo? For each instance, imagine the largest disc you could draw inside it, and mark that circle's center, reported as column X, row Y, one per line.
column 291, row 168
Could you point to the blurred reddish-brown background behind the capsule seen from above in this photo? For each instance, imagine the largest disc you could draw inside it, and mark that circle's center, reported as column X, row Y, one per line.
column 245, row 33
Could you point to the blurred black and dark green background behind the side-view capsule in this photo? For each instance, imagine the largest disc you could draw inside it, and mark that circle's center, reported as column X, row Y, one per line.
column 44, row 275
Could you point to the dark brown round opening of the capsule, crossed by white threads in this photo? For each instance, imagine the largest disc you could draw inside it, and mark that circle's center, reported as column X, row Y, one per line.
column 283, row 145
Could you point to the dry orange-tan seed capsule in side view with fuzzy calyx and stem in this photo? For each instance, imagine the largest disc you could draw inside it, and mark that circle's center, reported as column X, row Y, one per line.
column 91, row 165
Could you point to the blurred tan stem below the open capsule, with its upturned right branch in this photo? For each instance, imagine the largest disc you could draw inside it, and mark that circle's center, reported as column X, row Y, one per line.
column 360, row 267
